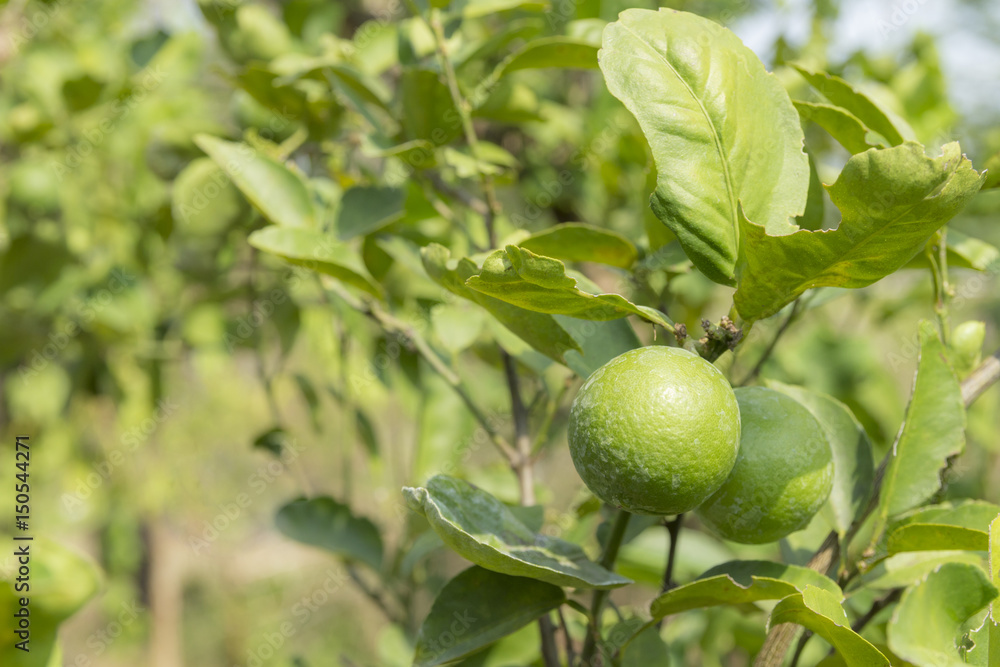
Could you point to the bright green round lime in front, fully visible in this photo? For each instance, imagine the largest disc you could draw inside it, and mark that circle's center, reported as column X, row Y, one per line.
column 655, row 430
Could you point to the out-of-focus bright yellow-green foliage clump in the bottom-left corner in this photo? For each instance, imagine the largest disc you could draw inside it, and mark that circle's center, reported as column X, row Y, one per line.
column 61, row 582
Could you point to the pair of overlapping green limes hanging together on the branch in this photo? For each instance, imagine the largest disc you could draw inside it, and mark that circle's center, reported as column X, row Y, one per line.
column 659, row 430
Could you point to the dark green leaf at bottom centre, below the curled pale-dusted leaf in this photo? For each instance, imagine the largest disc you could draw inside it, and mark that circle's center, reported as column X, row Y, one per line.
column 477, row 608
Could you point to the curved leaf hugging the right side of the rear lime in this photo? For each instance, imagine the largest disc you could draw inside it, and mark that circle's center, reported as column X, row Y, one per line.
column 853, row 465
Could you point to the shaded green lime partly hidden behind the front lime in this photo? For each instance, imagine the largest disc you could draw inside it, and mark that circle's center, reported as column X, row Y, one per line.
column 783, row 474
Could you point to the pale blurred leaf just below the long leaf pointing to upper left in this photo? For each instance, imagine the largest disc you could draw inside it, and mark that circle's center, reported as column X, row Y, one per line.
column 316, row 251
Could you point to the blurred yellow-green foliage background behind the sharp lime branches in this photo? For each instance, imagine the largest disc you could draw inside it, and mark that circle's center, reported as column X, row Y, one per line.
column 178, row 387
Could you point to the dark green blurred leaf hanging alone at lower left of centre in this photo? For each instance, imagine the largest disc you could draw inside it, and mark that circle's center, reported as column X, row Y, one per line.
column 323, row 522
